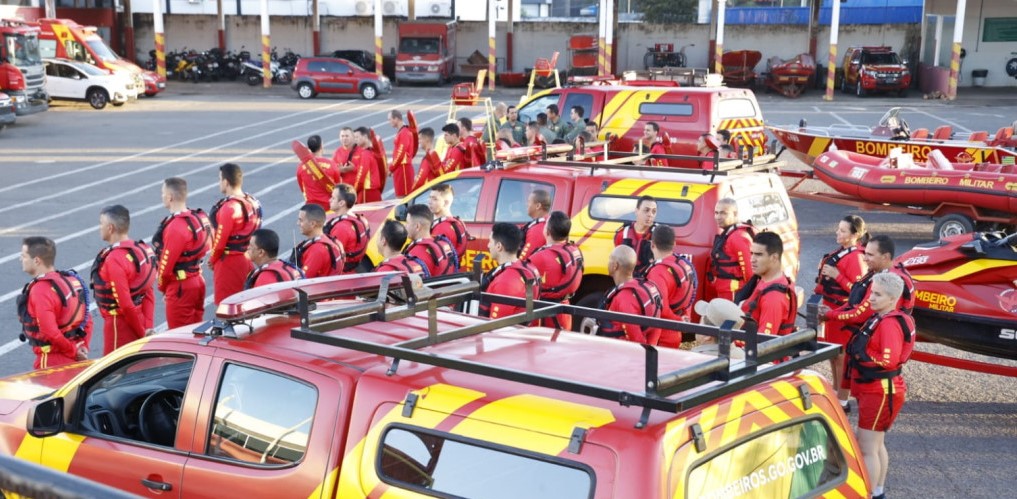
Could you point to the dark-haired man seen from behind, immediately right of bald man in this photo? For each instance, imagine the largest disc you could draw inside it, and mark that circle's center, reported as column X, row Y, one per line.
column 676, row 279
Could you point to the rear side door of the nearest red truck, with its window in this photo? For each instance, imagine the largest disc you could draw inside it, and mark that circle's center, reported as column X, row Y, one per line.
column 267, row 429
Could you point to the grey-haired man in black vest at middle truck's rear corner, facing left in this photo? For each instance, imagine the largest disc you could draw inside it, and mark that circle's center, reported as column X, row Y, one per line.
column 729, row 269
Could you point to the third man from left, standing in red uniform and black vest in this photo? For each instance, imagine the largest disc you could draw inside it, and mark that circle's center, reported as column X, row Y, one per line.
column 182, row 241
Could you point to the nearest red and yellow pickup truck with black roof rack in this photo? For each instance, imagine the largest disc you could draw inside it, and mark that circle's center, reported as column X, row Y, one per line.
column 368, row 387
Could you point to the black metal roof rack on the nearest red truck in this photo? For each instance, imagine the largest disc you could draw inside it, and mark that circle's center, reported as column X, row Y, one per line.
column 667, row 392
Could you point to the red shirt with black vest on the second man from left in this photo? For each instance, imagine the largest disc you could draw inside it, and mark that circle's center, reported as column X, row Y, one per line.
column 125, row 286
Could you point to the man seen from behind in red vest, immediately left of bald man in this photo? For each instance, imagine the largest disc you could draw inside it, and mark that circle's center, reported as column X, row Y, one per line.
column 561, row 267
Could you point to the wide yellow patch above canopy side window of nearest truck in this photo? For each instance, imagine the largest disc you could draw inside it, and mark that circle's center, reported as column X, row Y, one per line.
column 539, row 424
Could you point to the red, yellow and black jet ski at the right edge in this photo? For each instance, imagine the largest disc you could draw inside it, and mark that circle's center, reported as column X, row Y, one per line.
column 967, row 292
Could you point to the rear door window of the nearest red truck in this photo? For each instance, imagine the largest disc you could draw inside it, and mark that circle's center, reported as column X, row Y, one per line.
column 250, row 423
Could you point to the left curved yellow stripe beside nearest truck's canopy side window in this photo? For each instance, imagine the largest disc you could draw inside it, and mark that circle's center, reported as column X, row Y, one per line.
column 435, row 405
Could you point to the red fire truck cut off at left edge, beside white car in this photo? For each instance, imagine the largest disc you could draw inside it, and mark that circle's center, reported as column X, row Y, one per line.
column 23, row 75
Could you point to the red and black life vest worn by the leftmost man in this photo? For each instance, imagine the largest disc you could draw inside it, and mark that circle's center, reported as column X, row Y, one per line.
column 74, row 318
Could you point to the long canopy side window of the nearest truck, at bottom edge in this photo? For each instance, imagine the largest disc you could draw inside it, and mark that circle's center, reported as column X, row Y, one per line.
column 440, row 464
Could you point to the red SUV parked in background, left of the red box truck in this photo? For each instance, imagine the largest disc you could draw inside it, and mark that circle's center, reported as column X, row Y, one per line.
column 316, row 76
